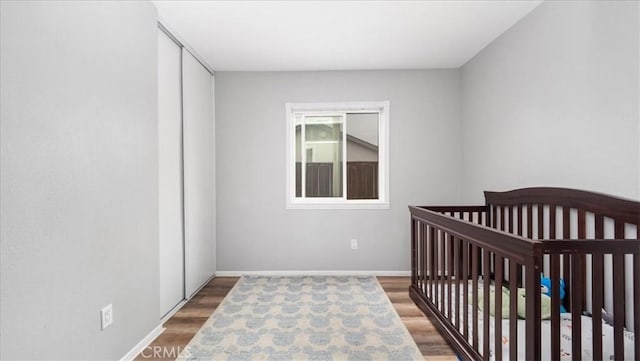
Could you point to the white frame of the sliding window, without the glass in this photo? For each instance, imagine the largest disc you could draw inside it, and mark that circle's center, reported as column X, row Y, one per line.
column 380, row 107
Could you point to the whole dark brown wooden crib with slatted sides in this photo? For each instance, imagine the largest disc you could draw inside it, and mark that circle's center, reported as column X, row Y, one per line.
column 589, row 240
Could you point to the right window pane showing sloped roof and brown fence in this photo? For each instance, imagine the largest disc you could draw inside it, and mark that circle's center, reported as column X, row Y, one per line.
column 362, row 155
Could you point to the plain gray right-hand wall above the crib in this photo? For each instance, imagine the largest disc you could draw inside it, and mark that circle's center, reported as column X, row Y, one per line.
column 554, row 101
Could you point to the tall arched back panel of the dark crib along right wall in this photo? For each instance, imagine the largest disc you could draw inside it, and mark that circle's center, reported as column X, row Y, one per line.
column 550, row 214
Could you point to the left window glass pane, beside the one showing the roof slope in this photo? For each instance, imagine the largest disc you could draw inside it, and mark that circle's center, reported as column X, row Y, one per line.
column 324, row 156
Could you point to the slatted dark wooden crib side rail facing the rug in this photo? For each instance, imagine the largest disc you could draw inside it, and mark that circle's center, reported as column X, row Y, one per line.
column 455, row 260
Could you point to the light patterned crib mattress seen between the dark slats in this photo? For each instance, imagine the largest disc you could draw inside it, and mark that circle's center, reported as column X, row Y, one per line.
column 565, row 337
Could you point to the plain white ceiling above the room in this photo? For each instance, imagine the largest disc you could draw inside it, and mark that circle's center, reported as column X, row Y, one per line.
column 339, row 35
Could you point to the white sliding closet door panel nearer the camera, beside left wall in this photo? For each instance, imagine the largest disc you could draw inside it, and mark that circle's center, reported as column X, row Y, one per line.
column 170, row 174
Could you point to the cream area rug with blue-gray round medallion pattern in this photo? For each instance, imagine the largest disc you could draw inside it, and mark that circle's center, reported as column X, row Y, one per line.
column 304, row 318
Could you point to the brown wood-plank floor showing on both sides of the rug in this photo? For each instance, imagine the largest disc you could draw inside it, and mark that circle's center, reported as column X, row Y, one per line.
column 187, row 321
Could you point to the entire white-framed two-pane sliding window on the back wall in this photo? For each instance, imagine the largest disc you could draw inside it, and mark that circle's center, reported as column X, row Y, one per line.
column 337, row 155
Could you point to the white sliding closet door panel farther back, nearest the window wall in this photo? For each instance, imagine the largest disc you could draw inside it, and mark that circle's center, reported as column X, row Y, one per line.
column 199, row 177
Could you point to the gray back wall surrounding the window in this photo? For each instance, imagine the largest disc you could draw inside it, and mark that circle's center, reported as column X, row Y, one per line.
column 256, row 232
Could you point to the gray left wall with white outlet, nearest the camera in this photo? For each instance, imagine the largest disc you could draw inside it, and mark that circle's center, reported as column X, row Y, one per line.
column 79, row 185
